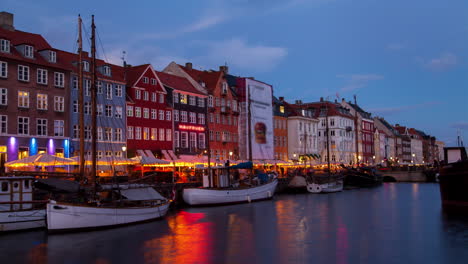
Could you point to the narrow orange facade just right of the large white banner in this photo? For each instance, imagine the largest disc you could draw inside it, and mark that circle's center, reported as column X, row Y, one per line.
column 280, row 126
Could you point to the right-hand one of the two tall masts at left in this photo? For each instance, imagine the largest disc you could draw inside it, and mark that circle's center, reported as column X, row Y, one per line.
column 93, row 105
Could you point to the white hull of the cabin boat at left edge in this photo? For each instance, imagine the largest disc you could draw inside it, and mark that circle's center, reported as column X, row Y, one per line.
column 22, row 220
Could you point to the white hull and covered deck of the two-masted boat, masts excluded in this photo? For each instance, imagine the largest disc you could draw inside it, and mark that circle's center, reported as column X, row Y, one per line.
column 138, row 205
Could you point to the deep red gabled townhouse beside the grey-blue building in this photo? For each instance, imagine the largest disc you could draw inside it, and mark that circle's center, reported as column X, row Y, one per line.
column 149, row 114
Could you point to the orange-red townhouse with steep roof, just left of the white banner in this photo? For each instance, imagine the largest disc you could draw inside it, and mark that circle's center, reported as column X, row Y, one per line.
column 222, row 108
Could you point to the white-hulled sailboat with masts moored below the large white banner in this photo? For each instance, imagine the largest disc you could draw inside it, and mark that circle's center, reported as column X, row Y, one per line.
column 224, row 192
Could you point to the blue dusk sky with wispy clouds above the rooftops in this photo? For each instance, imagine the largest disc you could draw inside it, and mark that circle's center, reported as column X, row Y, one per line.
column 406, row 61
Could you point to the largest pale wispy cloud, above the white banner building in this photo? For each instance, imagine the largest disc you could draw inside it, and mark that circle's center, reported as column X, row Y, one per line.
column 237, row 52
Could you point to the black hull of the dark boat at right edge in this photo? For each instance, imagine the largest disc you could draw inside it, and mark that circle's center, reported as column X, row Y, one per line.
column 453, row 182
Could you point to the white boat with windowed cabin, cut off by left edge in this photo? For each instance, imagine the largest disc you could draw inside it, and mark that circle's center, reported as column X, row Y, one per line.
column 18, row 210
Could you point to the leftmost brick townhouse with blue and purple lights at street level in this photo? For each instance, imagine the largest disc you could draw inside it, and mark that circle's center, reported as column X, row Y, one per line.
column 34, row 87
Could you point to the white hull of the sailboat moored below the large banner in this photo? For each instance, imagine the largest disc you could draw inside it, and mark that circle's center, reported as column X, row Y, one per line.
column 200, row 196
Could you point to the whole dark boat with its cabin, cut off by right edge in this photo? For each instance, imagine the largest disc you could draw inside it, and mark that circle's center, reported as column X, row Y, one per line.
column 453, row 181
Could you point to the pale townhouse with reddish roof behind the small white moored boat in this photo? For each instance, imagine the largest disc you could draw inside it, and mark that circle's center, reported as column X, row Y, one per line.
column 341, row 130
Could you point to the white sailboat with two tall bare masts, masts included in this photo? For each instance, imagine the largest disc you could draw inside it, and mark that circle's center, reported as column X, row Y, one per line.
column 117, row 205
